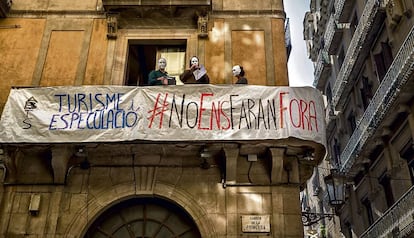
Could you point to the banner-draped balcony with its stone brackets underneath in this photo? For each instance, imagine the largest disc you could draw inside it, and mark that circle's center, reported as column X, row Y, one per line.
column 195, row 121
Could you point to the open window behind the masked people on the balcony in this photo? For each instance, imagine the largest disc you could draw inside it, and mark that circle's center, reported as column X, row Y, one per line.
column 144, row 54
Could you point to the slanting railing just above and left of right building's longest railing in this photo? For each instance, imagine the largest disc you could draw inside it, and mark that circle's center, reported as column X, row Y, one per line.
column 366, row 22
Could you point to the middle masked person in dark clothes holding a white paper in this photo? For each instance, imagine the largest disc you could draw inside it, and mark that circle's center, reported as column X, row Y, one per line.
column 196, row 74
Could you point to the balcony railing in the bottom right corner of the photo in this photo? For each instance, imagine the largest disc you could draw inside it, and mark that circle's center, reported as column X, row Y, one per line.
column 400, row 215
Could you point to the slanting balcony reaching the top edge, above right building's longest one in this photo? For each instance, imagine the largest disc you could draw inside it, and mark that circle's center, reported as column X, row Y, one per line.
column 364, row 35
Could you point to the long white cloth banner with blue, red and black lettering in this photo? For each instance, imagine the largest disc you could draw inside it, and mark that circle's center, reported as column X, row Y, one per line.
column 162, row 113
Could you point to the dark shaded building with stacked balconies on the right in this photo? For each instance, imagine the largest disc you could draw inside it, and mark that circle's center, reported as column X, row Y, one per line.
column 363, row 63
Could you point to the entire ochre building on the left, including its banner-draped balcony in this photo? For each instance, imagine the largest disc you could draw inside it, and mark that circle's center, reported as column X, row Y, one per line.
column 161, row 183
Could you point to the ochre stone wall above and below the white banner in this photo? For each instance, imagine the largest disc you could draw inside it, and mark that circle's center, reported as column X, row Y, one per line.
column 59, row 190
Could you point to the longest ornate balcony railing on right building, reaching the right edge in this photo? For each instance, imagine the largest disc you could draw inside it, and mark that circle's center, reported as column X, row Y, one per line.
column 389, row 89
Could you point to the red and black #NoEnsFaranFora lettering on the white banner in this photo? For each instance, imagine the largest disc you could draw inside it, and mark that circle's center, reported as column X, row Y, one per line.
column 207, row 114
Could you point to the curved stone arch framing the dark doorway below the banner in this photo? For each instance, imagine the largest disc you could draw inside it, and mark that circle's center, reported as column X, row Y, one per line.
column 109, row 196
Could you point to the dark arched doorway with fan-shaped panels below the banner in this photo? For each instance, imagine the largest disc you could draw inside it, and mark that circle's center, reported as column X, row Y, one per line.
column 144, row 217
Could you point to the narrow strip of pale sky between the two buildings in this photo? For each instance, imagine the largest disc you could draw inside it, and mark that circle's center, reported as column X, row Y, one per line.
column 300, row 67
